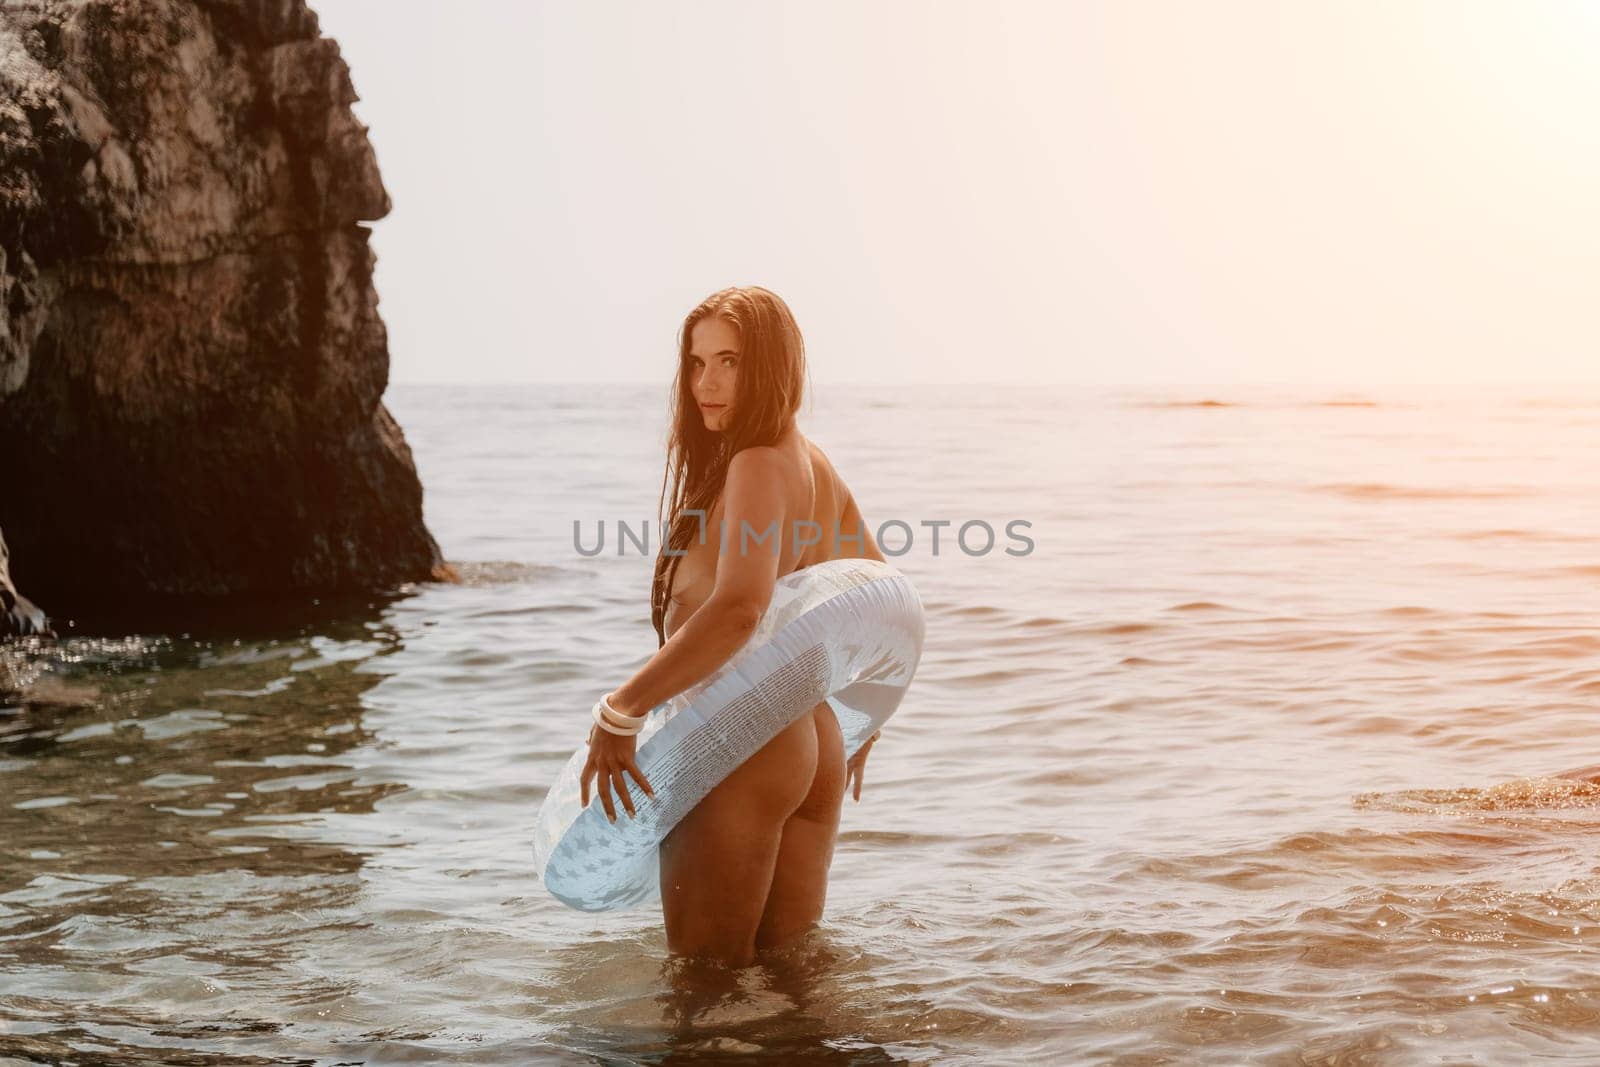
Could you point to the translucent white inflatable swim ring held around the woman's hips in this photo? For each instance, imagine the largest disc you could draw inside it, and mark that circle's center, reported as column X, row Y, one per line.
column 846, row 631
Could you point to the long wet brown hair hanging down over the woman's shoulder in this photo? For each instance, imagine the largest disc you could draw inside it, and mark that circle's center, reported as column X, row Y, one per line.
column 767, row 398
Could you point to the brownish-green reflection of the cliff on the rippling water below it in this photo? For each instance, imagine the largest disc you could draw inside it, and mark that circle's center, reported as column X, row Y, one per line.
column 172, row 823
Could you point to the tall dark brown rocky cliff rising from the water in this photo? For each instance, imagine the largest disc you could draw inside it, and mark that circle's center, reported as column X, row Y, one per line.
column 191, row 356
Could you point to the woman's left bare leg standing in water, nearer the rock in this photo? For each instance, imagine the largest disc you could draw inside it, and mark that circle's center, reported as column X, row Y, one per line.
column 718, row 863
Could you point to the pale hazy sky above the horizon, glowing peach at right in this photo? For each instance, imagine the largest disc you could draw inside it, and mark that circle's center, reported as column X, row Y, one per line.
column 1100, row 193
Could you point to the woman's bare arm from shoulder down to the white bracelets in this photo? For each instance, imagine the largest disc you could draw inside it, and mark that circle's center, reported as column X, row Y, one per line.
column 746, row 575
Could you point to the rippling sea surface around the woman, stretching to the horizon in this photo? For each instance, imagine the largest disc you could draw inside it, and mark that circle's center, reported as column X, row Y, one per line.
column 1257, row 756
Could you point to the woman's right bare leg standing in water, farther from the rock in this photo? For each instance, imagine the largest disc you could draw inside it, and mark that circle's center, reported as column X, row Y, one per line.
column 806, row 850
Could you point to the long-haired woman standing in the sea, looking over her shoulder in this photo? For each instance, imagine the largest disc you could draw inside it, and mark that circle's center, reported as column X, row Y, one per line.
column 748, row 868
